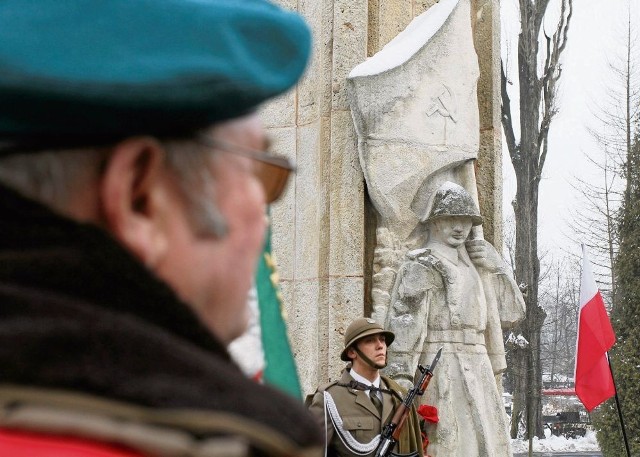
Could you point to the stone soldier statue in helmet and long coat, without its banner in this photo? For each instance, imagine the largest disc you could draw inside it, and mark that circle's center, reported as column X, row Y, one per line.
column 449, row 294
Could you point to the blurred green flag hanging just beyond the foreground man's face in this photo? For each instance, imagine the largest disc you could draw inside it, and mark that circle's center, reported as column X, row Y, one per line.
column 280, row 367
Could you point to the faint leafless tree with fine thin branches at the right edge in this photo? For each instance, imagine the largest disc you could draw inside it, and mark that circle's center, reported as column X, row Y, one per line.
column 612, row 131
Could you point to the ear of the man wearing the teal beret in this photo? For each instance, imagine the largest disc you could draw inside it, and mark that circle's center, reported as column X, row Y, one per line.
column 132, row 194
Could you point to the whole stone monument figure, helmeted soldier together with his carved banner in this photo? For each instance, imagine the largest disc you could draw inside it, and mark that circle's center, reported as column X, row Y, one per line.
column 436, row 281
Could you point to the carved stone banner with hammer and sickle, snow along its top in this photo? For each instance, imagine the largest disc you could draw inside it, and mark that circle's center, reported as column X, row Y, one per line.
column 415, row 110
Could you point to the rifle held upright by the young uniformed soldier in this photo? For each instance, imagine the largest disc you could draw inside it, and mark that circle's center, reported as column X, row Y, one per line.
column 391, row 431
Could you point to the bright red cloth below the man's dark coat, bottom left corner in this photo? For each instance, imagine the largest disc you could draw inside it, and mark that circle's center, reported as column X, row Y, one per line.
column 27, row 444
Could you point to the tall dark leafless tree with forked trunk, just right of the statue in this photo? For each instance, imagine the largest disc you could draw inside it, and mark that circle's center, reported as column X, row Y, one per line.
column 539, row 70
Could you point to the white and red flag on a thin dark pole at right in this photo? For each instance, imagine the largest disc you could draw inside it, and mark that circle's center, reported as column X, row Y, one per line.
column 593, row 379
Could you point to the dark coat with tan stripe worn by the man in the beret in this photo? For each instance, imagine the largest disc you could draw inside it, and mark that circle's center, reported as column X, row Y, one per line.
column 89, row 335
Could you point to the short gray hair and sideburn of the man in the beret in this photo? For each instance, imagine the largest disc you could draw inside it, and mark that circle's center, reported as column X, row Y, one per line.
column 52, row 177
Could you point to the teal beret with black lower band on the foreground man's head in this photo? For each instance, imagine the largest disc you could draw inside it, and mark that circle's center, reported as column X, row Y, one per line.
column 74, row 71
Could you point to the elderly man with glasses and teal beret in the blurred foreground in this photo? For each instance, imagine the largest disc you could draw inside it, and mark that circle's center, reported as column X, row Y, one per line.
column 133, row 190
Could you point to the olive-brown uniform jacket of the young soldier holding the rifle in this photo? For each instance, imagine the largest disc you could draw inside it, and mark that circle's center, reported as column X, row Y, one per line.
column 361, row 418
